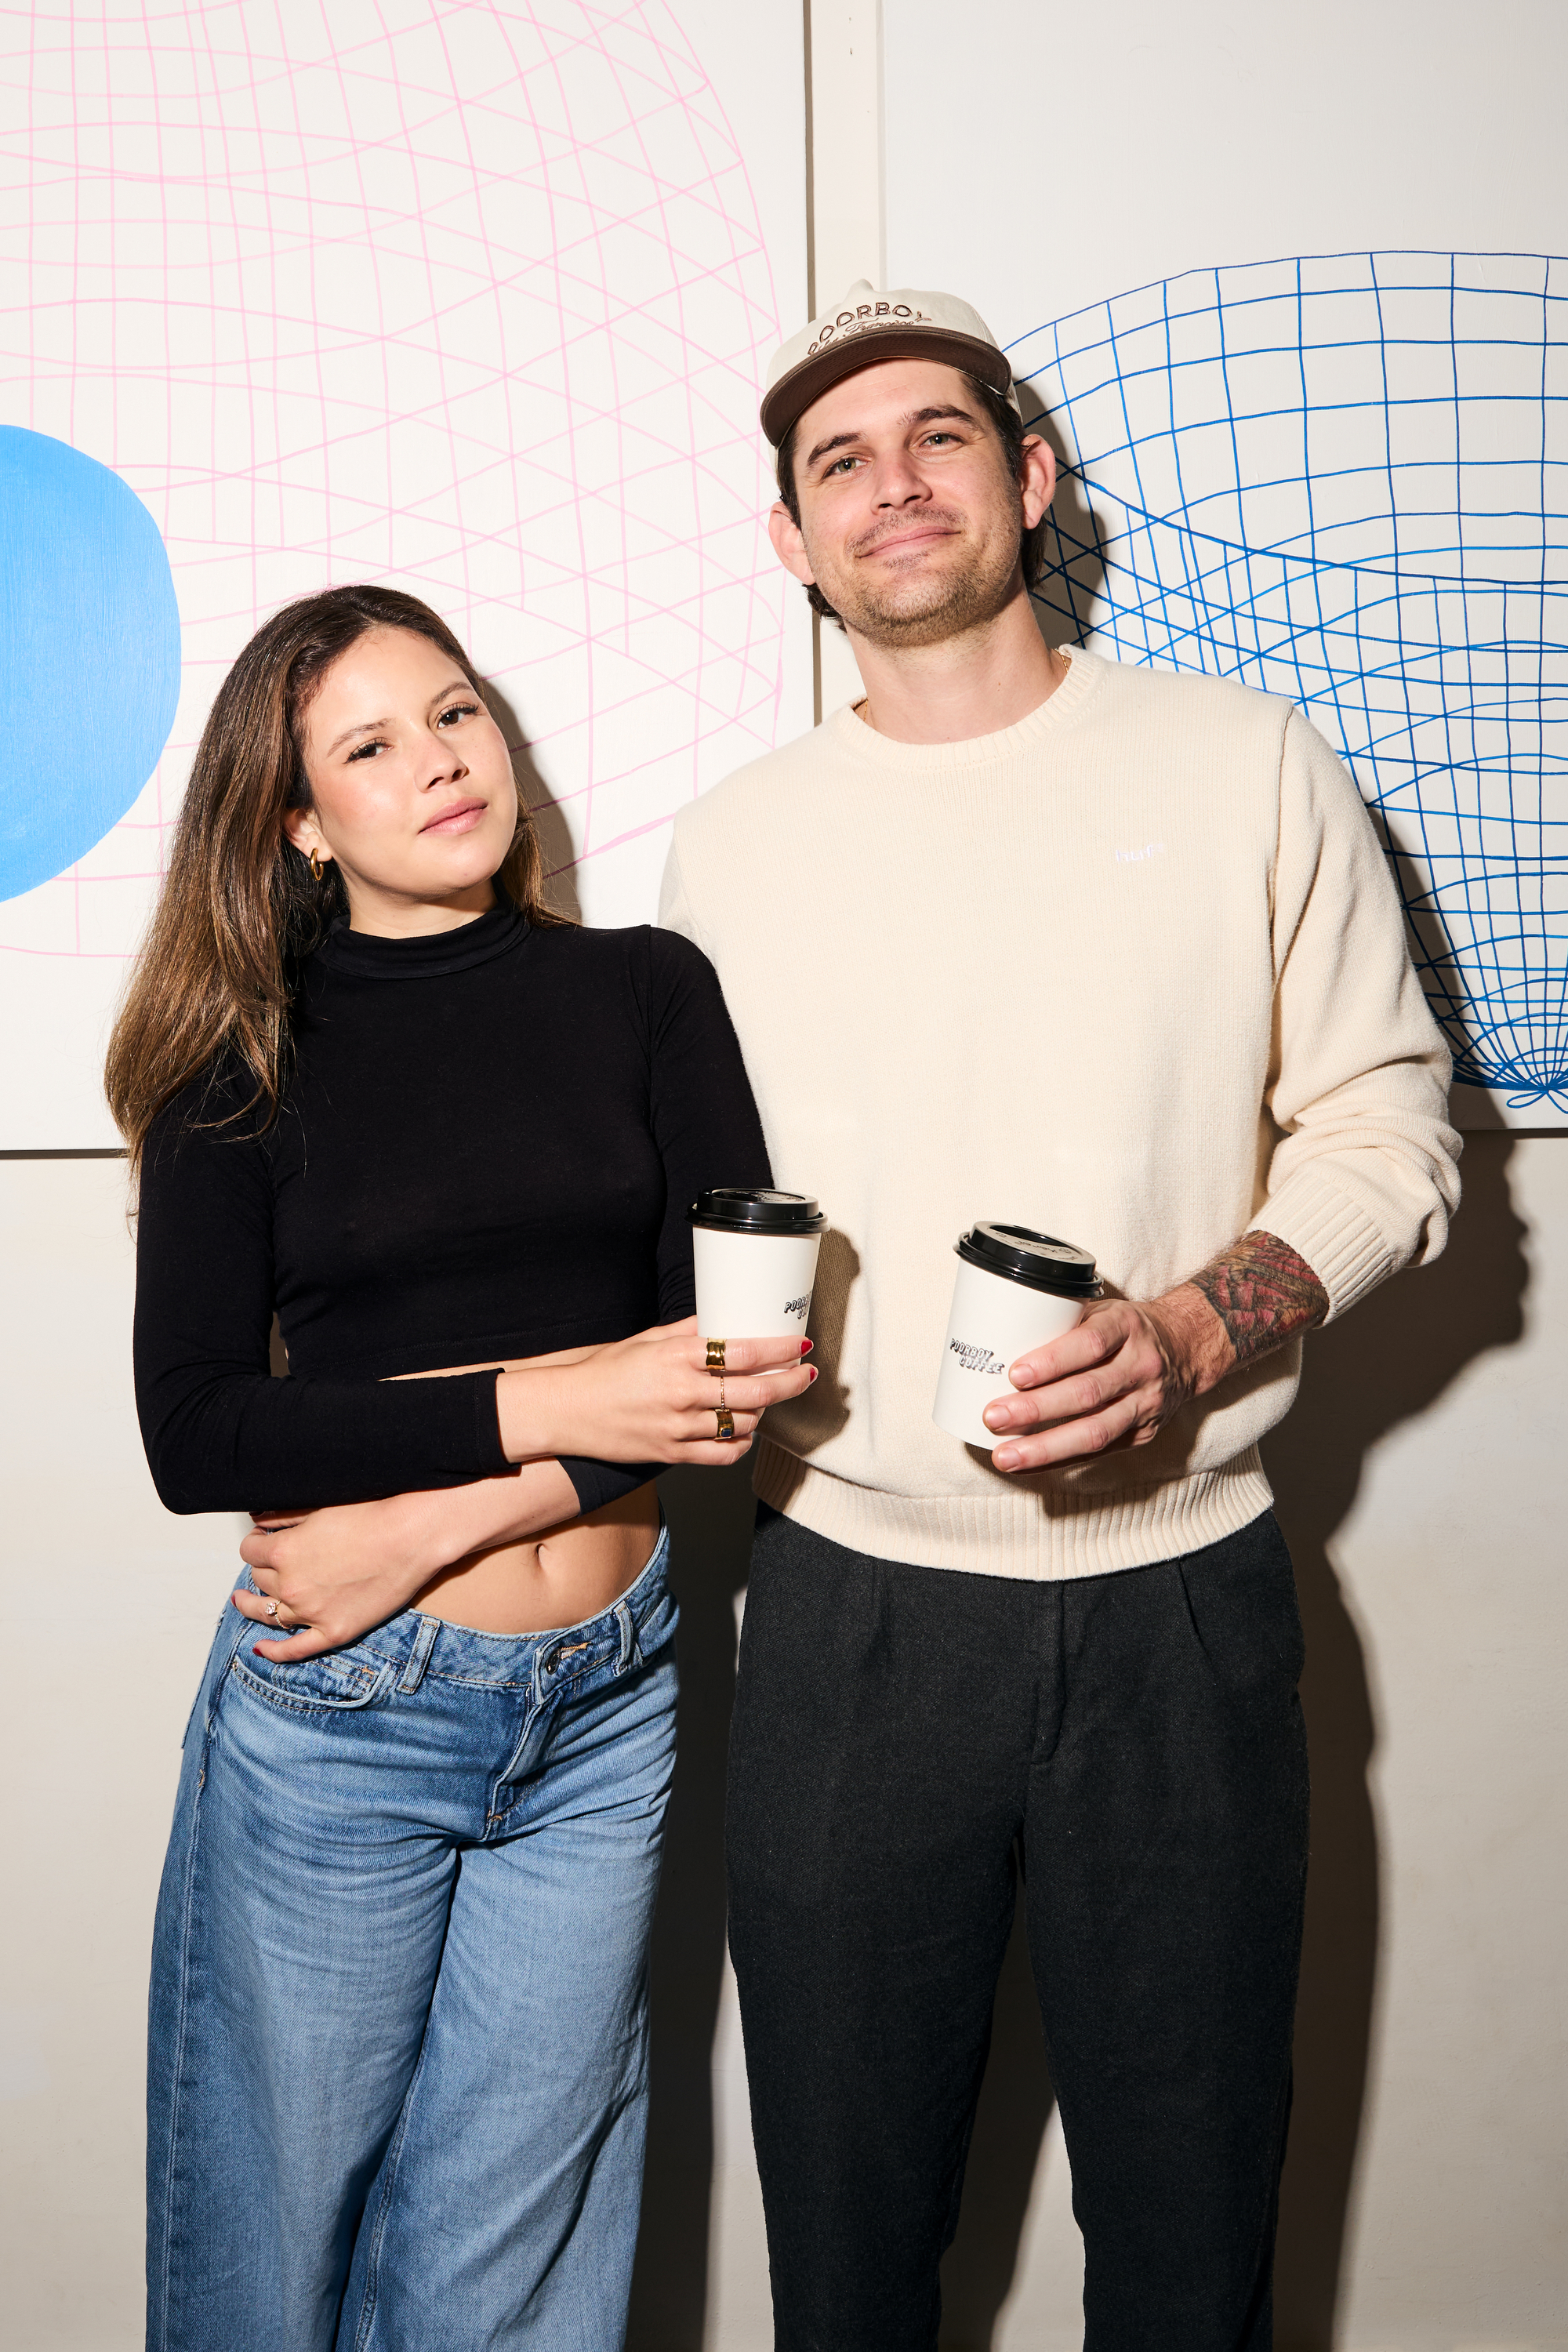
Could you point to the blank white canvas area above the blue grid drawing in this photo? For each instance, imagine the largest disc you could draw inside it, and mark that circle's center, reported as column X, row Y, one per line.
column 1137, row 142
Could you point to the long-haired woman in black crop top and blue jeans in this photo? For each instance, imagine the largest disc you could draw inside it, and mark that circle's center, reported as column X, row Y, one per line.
column 375, row 1090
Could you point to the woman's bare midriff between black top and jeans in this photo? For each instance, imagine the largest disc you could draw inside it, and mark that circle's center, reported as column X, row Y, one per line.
column 558, row 1577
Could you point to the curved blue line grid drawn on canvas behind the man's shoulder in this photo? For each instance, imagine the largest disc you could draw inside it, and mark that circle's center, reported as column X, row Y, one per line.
column 1346, row 479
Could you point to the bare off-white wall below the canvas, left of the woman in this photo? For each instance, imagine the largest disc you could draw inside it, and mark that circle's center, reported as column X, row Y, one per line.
column 109, row 1608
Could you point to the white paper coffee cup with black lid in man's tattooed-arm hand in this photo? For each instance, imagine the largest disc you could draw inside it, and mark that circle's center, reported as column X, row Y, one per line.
column 1014, row 1292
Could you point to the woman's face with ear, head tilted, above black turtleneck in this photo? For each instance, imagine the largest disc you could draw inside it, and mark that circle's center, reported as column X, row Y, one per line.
column 410, row 780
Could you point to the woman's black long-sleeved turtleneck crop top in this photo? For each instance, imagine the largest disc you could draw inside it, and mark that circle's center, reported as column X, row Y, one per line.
column 485, row 1149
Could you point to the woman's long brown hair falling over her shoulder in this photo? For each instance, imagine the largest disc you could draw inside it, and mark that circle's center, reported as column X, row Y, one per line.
column 239, row 909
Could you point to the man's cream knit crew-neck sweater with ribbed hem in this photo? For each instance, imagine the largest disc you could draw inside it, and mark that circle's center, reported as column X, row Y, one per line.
column 1130, row 973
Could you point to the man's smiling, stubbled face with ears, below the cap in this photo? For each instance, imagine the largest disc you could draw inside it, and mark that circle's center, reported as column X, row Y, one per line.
column 909, row 512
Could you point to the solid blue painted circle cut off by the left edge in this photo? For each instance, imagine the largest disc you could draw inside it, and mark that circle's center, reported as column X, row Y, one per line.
column 88, row 655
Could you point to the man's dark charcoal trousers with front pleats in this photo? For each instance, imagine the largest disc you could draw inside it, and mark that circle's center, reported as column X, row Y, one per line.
column 909, row 1744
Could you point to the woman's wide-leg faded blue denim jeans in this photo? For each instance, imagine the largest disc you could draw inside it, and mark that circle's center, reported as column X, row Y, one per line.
column 398, row 2029
